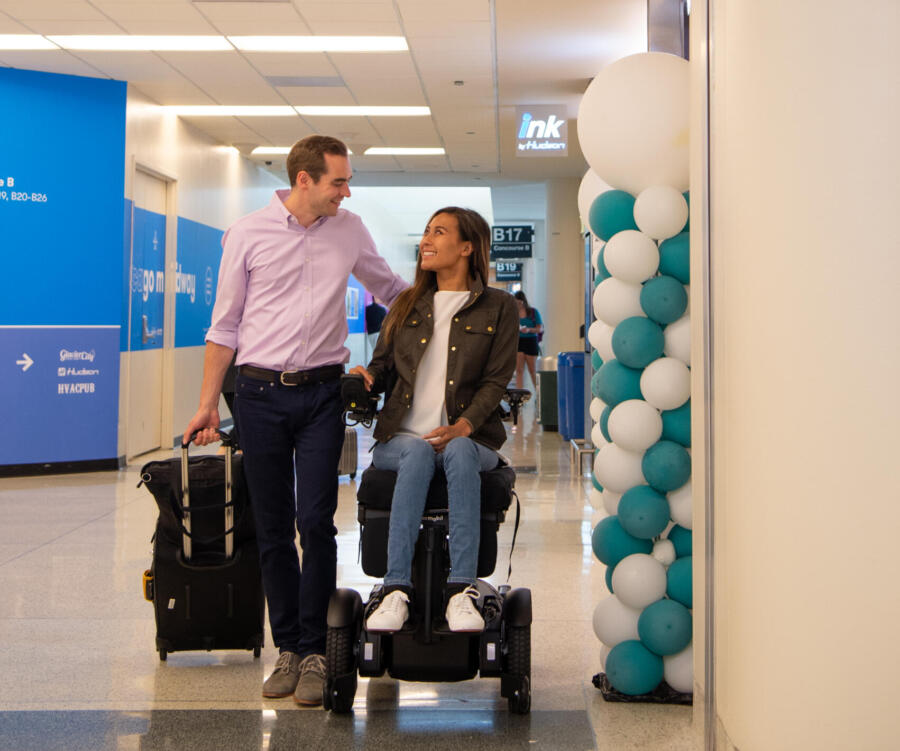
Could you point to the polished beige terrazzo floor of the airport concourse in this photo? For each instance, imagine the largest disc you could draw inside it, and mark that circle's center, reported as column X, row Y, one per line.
column 79, row 669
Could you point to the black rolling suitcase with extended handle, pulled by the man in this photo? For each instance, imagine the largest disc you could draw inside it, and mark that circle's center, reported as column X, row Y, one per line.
column 204, row 581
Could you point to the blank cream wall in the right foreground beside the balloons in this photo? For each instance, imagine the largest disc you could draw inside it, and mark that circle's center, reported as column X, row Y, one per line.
column 805, row 117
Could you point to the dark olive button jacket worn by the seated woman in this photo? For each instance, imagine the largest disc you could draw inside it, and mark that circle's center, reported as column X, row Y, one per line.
column 481, row 359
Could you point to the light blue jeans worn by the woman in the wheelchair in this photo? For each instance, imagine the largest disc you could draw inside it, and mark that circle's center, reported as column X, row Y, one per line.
column 414, row 460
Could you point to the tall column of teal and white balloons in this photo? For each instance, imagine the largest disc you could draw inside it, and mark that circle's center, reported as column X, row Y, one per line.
column 633, row 129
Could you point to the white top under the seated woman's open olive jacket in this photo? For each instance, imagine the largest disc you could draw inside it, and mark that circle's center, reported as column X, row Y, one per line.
column 429, row 409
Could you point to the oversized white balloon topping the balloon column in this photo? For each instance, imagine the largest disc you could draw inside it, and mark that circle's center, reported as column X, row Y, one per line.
column 633, row 122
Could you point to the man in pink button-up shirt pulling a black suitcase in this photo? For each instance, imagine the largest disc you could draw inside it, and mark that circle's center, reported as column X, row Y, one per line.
column 280, row 305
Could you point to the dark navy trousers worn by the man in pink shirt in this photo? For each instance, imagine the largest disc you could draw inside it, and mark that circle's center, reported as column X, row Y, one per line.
column 292, row 437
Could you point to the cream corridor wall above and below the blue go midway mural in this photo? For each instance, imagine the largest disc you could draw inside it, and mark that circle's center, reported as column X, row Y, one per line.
column 214, row 186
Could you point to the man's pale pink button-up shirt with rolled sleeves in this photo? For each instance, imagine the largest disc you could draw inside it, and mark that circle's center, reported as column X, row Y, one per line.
column 282, row 287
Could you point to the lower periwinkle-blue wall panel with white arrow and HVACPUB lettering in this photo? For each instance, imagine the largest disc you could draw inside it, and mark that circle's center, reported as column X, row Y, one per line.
column 62, row 393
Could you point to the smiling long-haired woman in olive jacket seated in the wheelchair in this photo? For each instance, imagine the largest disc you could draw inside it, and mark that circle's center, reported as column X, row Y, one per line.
column 447, row 350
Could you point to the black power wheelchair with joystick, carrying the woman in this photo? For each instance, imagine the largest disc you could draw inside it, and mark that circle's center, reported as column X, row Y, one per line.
column 425, row 649
